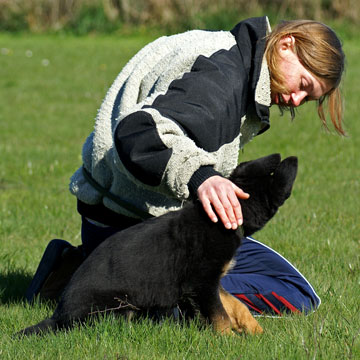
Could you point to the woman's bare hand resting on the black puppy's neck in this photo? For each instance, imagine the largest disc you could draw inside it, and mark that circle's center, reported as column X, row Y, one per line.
column 222, row 195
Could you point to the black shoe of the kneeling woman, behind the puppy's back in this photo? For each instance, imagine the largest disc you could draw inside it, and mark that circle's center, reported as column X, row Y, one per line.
column 57, row 265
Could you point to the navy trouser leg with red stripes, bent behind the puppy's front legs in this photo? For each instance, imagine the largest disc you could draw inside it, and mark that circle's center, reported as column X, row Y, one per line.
column 267, row 283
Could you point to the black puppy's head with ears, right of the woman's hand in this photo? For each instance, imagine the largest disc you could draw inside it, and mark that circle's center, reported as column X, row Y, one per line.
column 269, row 182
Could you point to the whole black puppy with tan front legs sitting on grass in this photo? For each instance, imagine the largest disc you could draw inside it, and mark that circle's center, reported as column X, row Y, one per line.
column 175, row 258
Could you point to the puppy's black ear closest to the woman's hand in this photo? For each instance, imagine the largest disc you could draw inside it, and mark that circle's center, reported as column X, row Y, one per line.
column 256, row 168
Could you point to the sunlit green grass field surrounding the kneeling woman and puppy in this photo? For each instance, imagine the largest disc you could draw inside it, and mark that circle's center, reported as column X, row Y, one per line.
column 50, row 89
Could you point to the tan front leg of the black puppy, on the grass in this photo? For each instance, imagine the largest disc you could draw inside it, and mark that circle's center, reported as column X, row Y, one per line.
column 240, row 316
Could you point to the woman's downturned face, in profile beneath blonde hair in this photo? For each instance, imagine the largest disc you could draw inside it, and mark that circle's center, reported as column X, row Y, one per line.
column 301, row 84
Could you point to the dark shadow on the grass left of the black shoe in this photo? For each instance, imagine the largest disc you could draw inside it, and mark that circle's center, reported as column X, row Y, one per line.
column 13, row 285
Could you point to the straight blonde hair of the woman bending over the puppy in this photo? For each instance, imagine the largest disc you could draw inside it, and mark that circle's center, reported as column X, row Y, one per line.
column 320, row 52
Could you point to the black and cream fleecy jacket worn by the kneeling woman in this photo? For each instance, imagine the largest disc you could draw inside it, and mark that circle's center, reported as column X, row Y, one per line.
column 177, row 113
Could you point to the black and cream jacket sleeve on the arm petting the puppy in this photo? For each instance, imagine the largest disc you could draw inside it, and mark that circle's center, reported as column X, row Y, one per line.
column 174, row 142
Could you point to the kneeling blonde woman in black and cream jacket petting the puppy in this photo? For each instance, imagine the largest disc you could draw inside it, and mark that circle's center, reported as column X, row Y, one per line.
column 170, row 129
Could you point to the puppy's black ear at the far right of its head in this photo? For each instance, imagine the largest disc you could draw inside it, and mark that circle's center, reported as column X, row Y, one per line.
column 283, row 180
